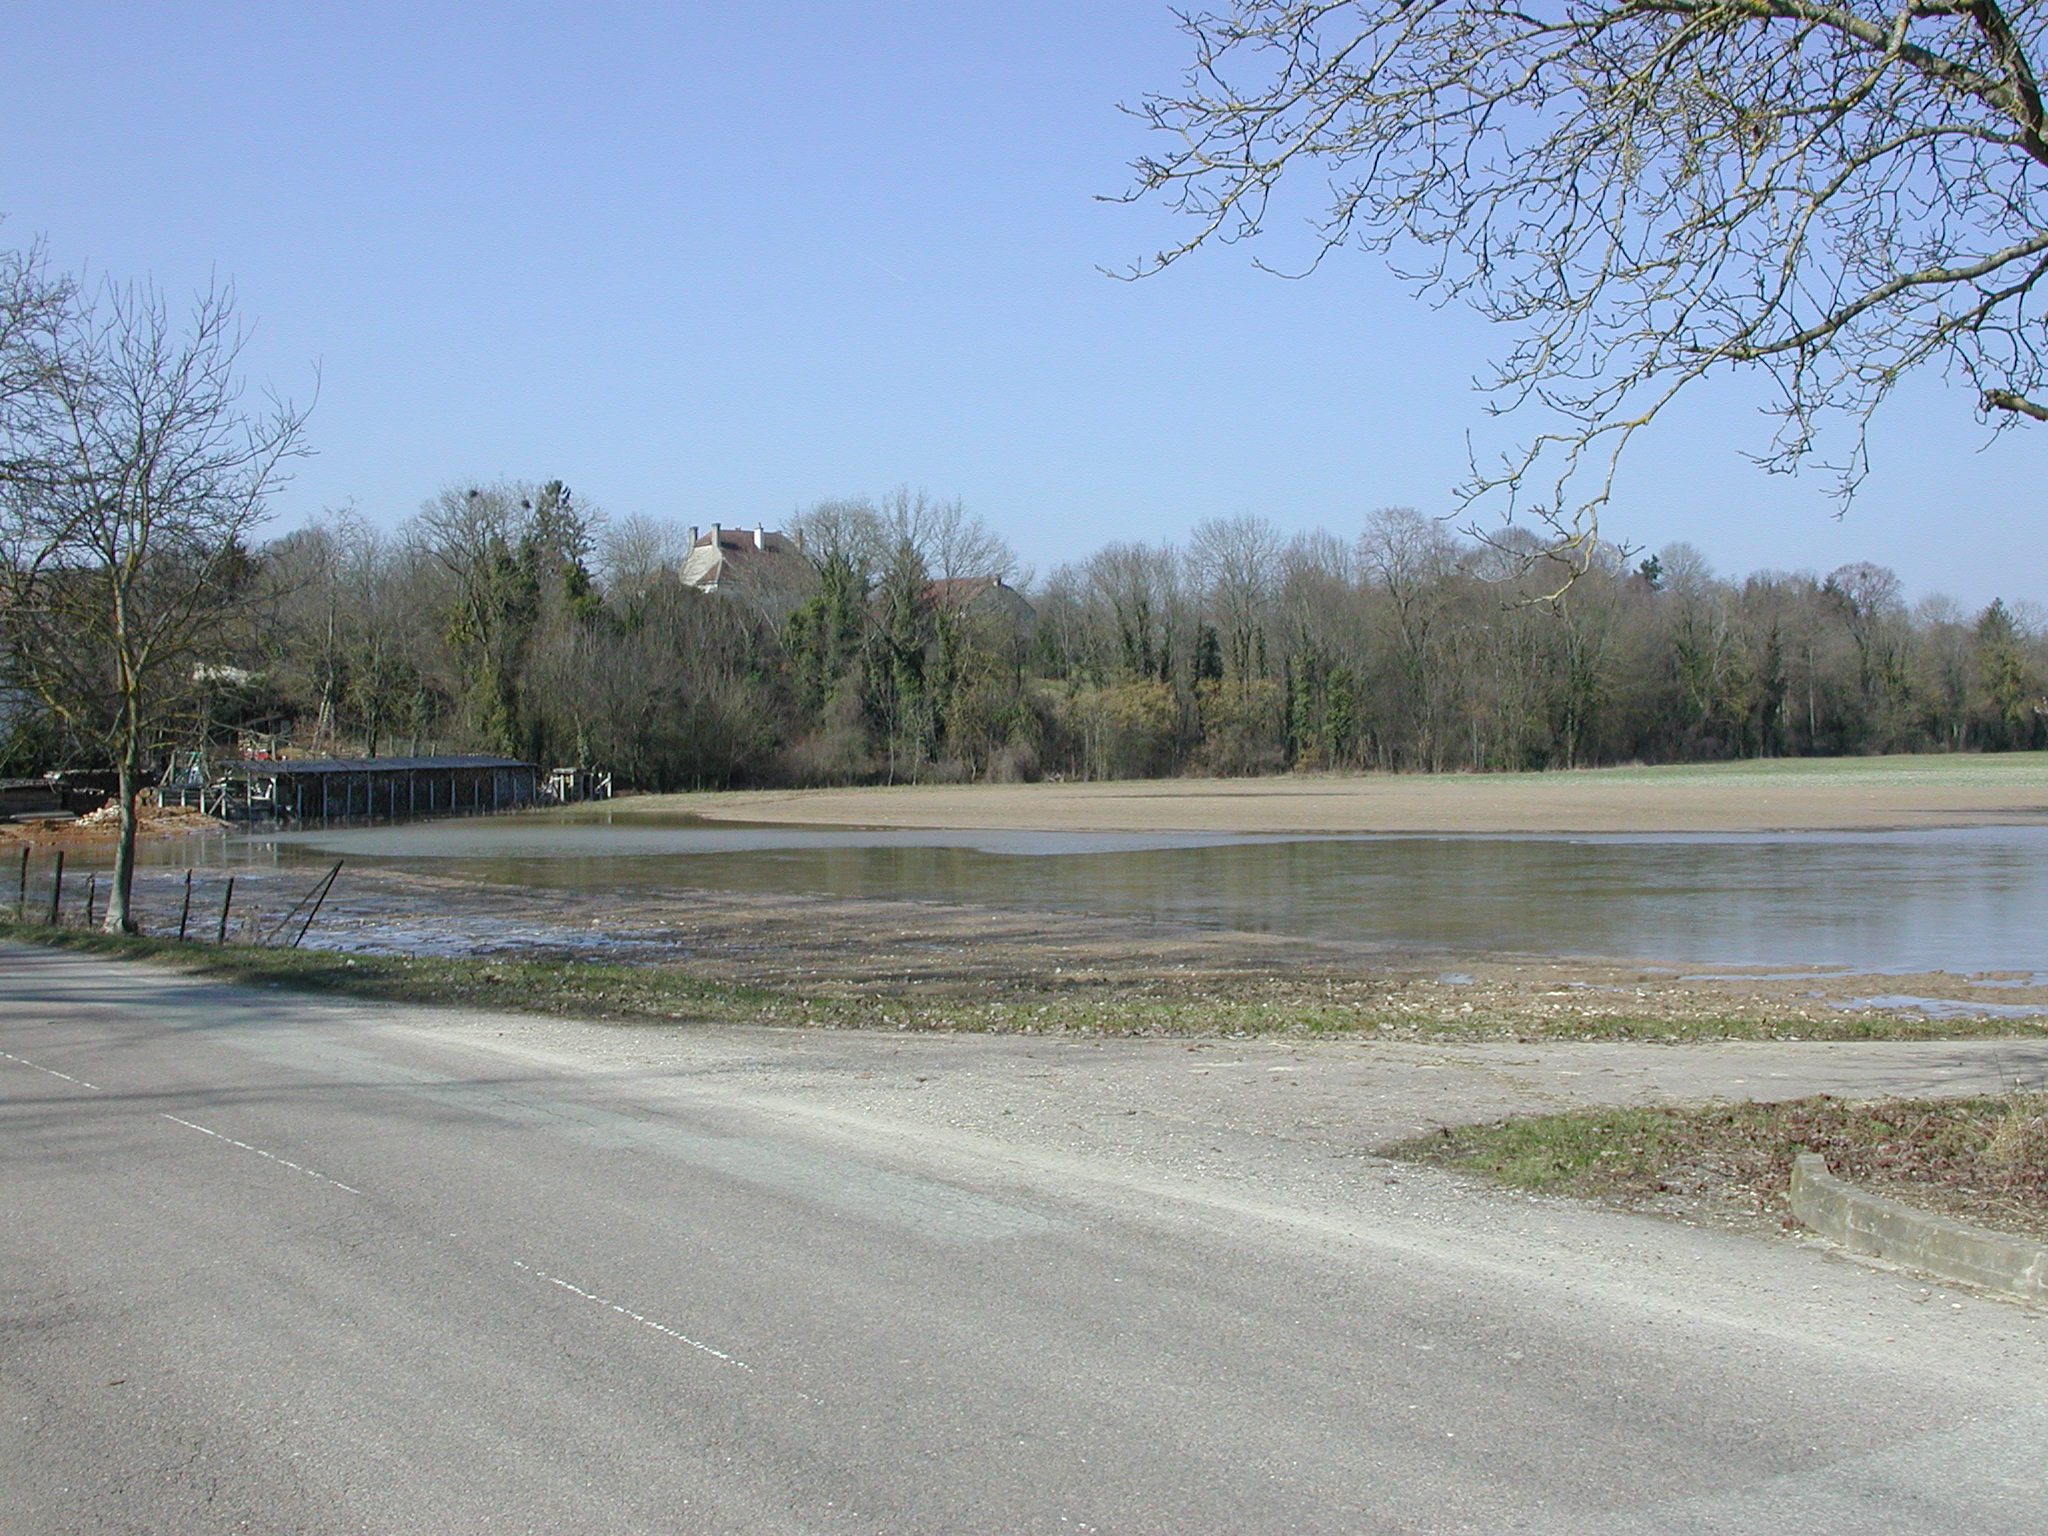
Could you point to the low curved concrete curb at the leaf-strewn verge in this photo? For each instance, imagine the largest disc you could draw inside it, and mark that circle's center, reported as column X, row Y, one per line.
column 1891, row 1230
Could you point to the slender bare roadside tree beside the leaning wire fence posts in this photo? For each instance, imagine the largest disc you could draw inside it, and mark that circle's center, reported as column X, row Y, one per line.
column 128, row 554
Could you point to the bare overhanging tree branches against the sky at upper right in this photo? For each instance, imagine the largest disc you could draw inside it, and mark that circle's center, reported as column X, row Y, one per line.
column 1650, row 191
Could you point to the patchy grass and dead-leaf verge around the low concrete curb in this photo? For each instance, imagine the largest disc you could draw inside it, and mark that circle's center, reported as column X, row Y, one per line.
column 1979, row 1160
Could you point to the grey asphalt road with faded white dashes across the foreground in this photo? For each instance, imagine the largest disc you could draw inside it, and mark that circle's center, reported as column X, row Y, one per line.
column 282, row 1265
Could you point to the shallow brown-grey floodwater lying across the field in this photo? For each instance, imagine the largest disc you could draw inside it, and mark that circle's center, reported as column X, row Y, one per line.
column 1951, row 900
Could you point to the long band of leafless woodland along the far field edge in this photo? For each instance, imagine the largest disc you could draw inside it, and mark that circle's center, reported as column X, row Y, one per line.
column 513, row 620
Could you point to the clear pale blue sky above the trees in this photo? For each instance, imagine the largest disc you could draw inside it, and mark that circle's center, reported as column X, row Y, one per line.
column 716, row 263
